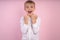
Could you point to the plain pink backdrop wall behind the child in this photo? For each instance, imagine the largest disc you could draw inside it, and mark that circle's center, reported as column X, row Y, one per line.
column 11, row 11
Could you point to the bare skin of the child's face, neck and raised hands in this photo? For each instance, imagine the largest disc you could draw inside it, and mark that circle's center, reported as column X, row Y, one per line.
column 30, row 7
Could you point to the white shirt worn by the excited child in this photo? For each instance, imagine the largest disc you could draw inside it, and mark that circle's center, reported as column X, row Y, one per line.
column 28, row 30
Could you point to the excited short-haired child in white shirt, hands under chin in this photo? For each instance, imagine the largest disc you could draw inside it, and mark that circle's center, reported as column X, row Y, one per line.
column 30, row 22
